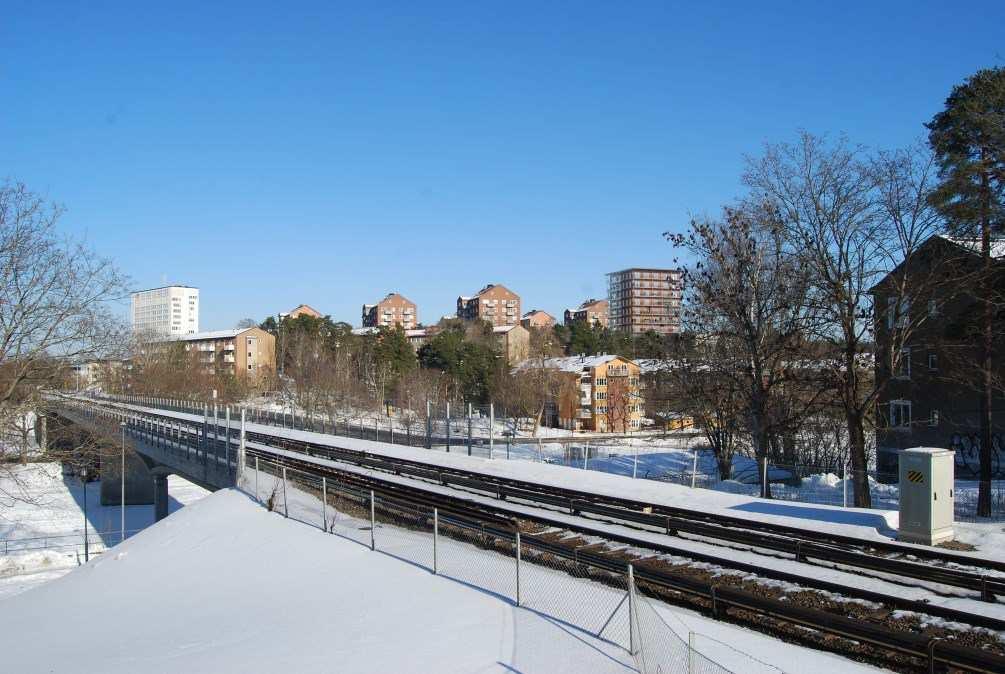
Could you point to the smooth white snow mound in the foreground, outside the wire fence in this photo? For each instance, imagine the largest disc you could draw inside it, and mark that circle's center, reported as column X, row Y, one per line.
column 227, row 586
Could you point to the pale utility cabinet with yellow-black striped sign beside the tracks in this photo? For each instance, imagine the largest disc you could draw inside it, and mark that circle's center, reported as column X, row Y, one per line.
column 927, row 483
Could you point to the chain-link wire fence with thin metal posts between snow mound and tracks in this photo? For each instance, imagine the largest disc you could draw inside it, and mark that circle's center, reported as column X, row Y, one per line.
column 526, row 569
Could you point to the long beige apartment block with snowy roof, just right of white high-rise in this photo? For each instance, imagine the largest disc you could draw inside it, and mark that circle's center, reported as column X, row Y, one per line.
column 248, row 354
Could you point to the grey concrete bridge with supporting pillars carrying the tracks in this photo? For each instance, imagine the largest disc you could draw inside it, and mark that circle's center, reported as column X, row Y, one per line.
column 205, row 450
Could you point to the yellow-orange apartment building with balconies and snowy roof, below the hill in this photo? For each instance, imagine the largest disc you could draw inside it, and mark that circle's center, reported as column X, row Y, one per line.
column 599, row 393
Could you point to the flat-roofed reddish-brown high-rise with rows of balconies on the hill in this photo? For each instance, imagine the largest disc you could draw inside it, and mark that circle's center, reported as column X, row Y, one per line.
column 646, row 300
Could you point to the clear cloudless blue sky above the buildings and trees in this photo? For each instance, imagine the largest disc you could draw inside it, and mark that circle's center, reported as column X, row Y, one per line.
column 274, row 154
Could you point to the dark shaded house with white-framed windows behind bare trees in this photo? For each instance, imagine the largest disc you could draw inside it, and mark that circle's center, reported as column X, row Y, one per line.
column 927, row 397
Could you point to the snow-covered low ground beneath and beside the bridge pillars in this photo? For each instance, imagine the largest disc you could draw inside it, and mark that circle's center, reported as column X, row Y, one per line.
column 42, row 531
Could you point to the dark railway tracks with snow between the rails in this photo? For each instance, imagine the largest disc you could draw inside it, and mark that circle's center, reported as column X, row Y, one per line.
column 501, row 517
